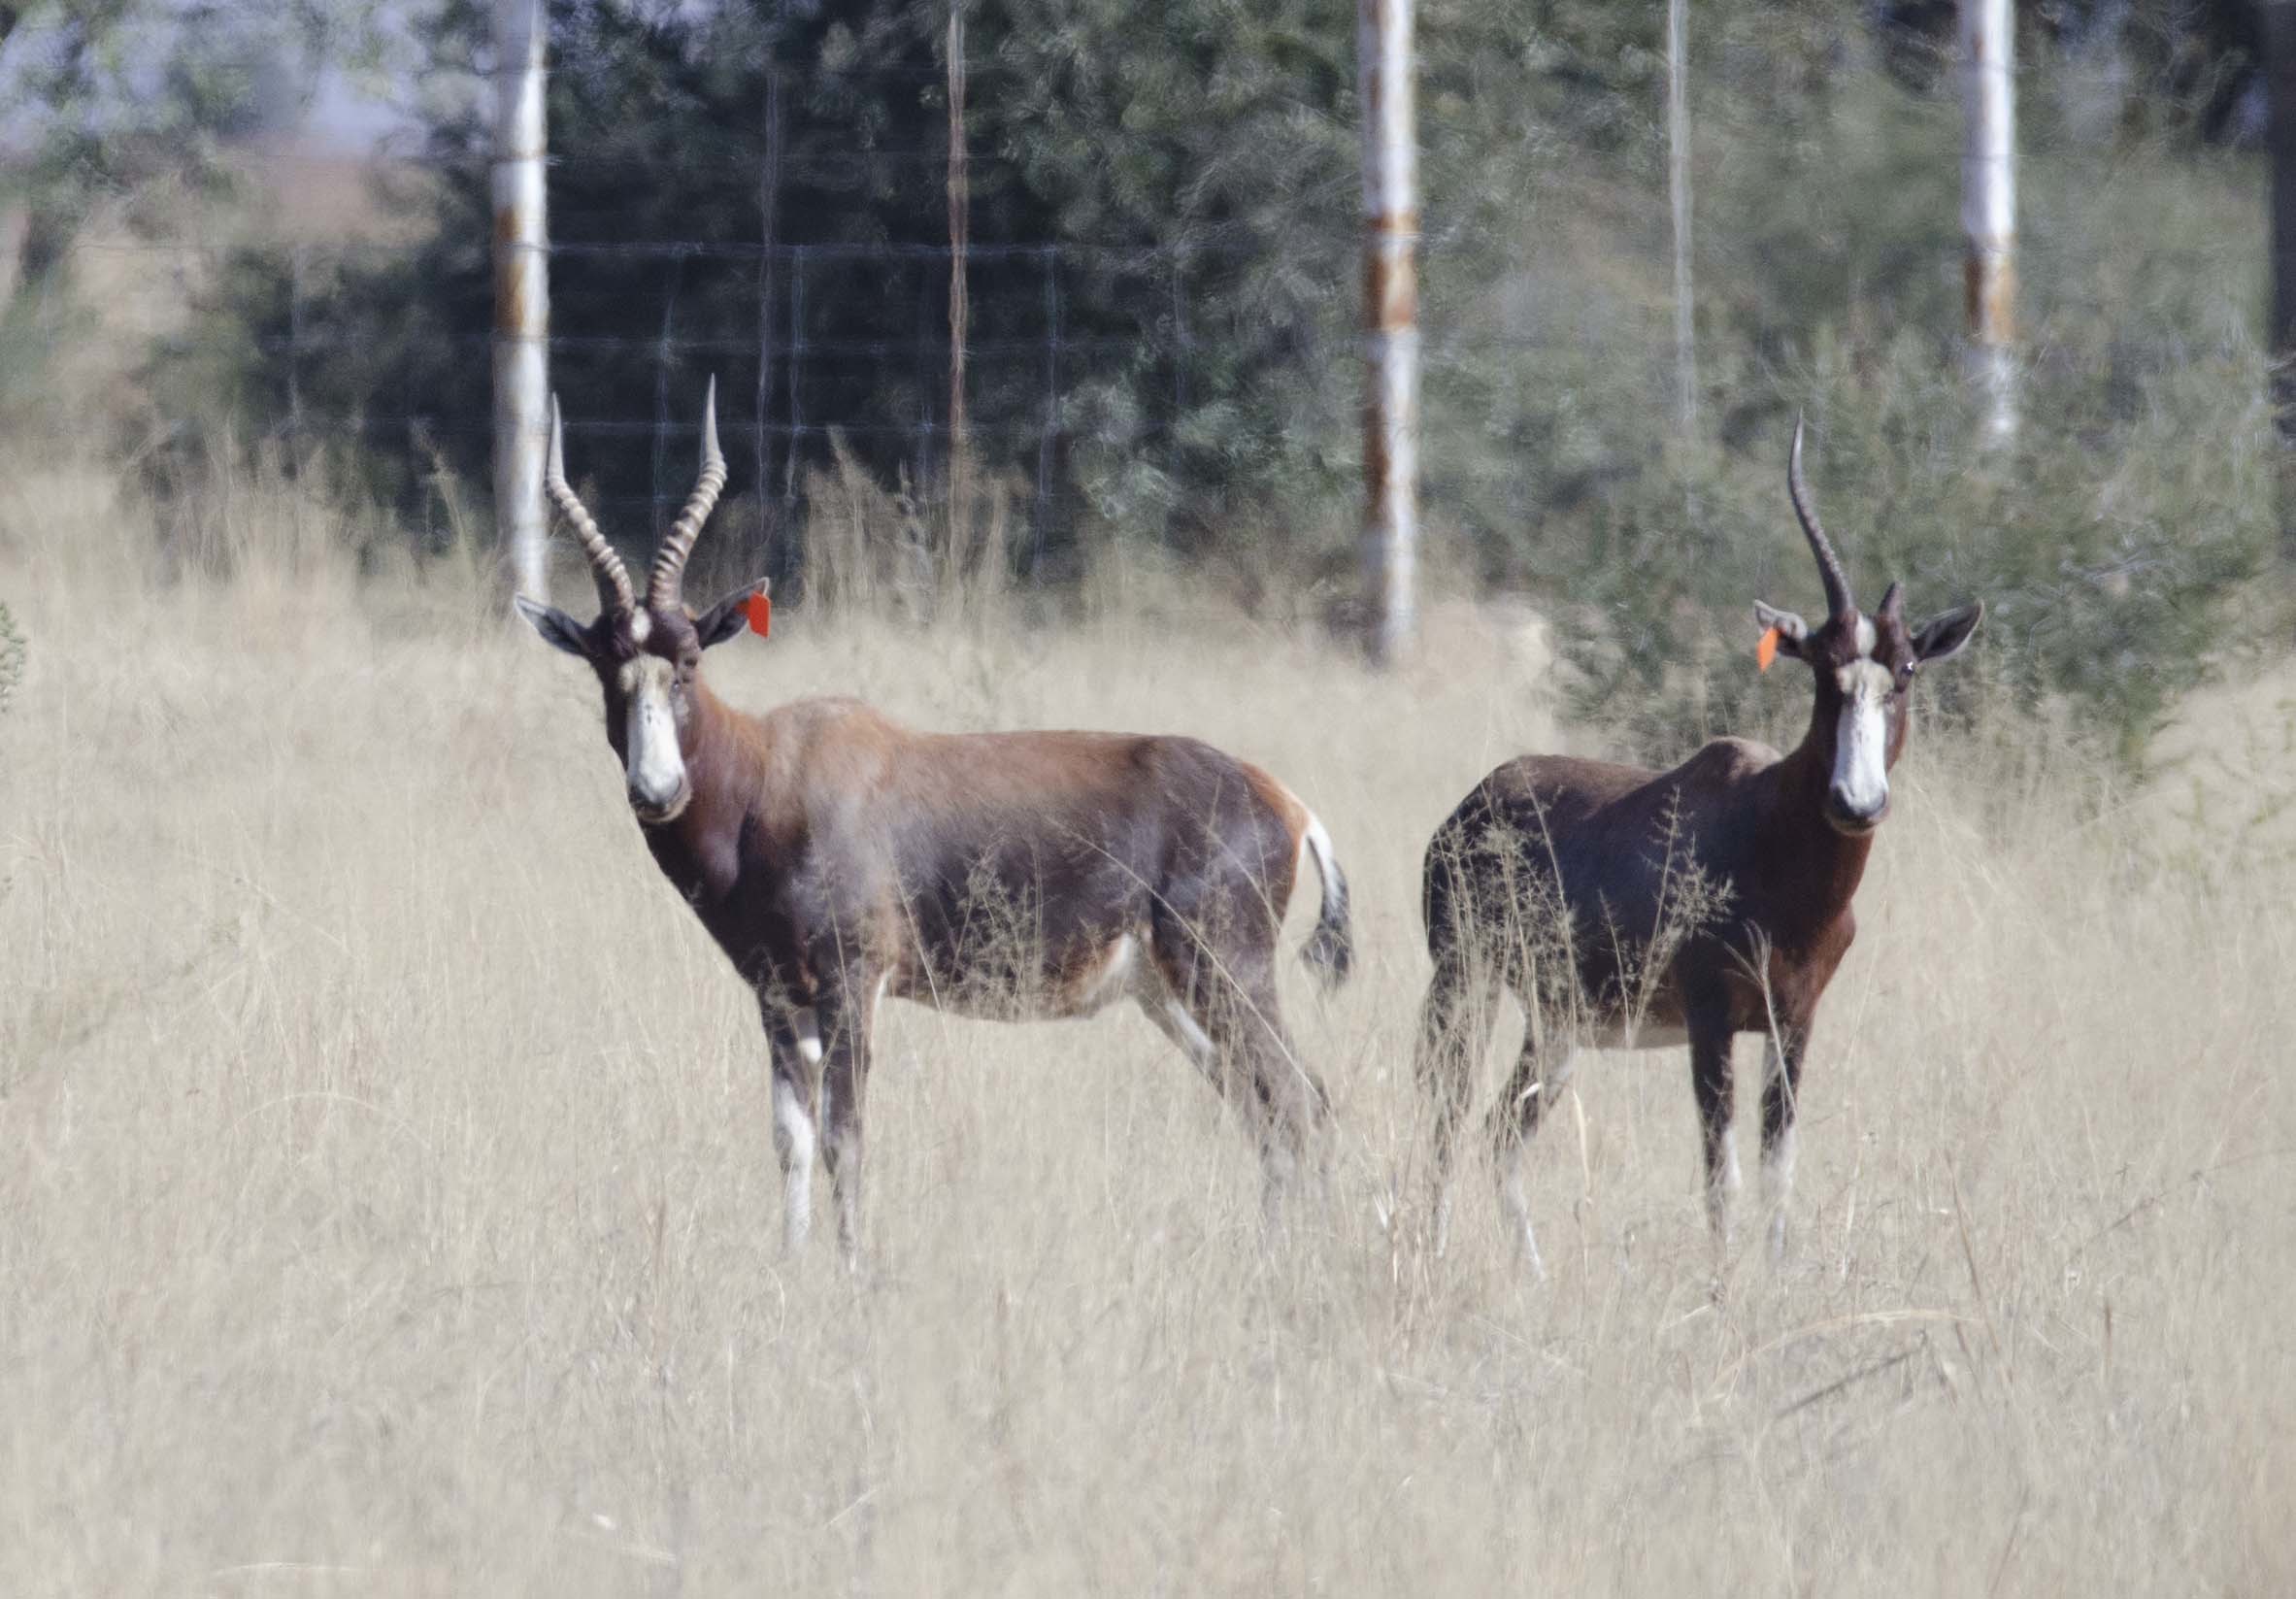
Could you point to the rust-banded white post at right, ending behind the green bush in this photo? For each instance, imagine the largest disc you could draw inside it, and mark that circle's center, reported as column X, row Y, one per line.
column 1989, row 203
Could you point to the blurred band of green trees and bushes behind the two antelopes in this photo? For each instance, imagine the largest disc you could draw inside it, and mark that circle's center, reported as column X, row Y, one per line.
column 1170, row 190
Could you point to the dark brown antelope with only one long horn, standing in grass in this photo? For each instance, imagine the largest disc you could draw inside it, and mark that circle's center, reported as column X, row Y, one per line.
column 1634, row 909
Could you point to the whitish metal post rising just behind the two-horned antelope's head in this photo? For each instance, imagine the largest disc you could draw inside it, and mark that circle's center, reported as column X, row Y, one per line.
column 522, row 293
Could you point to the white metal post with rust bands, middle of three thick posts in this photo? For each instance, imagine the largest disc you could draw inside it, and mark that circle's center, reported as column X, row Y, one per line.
column 1393, row 320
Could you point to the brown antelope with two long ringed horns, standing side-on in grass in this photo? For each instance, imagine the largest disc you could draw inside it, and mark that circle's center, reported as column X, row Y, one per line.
column 841, row 858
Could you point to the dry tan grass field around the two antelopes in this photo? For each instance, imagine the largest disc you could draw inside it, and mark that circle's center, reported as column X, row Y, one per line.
column 389, row 1203
